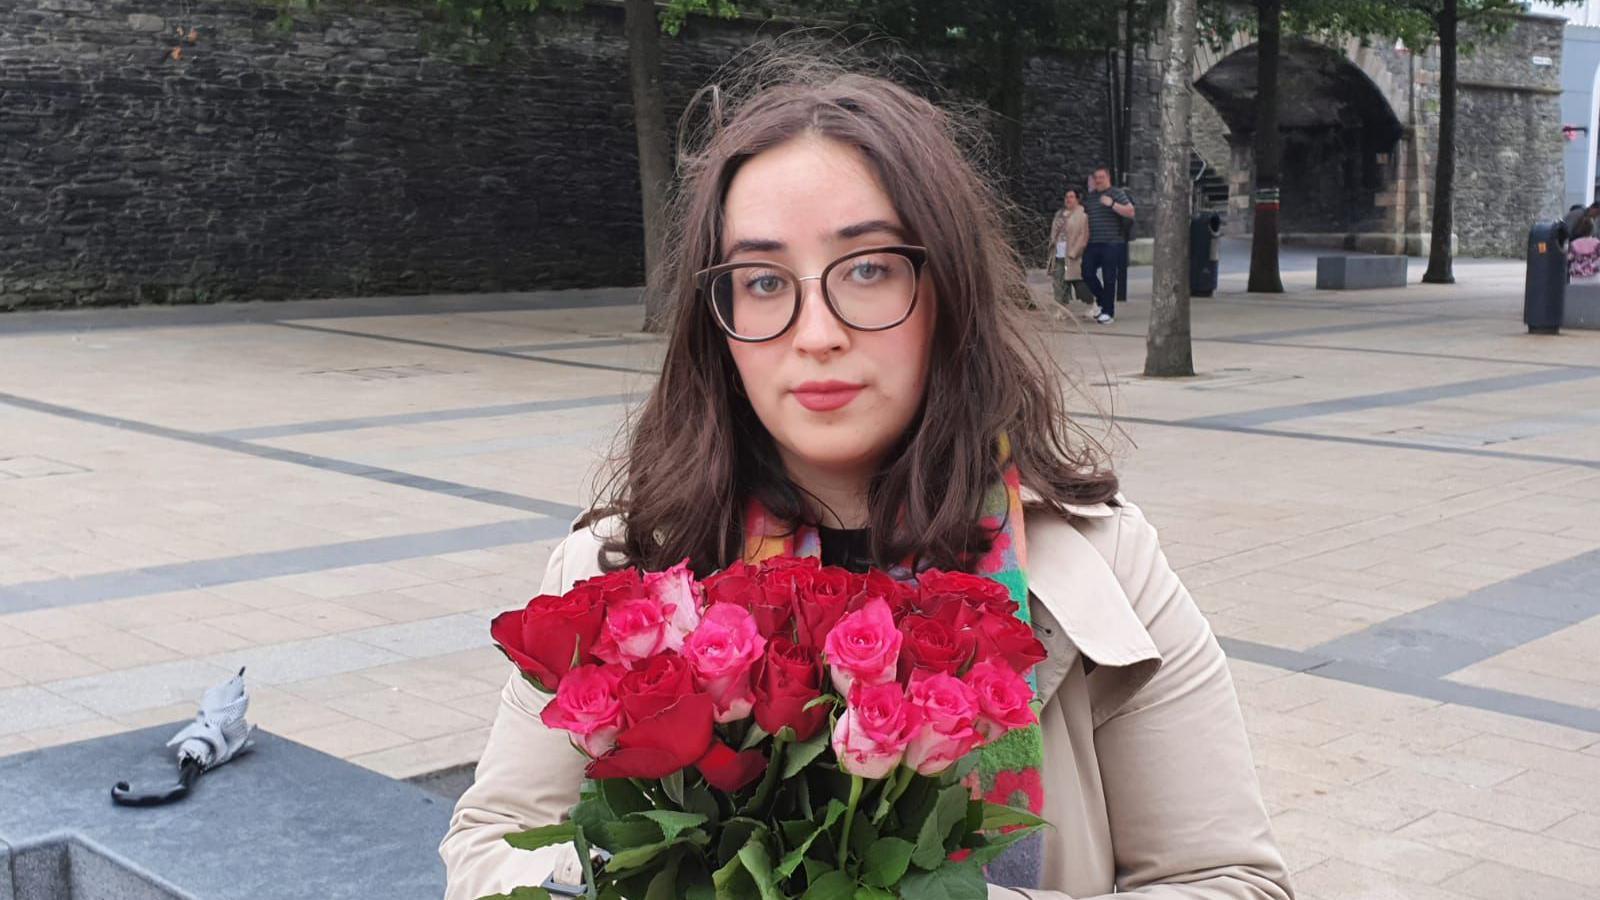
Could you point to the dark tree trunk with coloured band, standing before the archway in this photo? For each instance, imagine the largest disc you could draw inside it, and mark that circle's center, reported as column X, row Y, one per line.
column 1265, row 276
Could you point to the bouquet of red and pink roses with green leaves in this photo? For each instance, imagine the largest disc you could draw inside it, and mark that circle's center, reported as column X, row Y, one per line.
column 780, row 731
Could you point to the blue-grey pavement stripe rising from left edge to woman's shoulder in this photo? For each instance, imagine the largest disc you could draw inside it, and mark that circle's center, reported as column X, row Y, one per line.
column 273, row 565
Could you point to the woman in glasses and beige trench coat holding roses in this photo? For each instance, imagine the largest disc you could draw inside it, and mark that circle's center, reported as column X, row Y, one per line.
column 847, row 371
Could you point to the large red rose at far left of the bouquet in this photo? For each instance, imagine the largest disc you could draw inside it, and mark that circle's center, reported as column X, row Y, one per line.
column 551, row 635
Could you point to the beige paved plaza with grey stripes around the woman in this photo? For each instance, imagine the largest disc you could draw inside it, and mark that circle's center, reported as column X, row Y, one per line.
column 1386, row 502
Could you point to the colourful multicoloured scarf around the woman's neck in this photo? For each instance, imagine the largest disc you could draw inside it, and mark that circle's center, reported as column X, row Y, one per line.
column 1010, row 769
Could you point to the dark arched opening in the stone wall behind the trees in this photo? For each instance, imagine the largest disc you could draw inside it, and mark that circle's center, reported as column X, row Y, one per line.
column 1350, row 158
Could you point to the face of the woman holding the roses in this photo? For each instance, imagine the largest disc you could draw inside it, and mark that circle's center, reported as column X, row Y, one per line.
column 833, row 398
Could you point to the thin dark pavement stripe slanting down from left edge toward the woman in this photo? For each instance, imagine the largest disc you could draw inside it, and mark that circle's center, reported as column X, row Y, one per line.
column 310, row 460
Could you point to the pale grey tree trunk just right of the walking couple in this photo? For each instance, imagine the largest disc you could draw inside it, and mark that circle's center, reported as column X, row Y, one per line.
column 1167, row 347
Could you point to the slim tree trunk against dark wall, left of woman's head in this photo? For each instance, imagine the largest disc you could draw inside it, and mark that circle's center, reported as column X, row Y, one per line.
column 655, row 156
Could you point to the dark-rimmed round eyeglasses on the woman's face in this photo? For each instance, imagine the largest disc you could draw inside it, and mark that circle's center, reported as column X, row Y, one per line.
column 870, row 291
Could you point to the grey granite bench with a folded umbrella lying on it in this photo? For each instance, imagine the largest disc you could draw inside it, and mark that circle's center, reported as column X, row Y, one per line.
column 284, row 822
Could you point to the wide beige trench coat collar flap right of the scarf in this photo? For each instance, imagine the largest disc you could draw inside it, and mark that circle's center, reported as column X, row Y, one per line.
column 1086, row 611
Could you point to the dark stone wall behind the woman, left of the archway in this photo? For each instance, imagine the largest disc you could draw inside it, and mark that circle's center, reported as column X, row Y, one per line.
column 342, row 159
